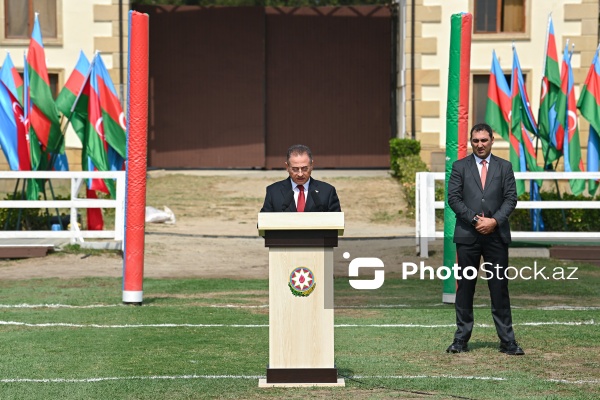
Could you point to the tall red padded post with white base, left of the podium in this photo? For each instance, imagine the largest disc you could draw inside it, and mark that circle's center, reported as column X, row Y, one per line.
column 137, row 143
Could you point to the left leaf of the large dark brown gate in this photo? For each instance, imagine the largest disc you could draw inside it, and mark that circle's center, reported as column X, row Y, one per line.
column 206, row 87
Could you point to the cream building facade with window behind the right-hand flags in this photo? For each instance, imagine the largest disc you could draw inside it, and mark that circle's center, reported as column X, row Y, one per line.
column 497, row 25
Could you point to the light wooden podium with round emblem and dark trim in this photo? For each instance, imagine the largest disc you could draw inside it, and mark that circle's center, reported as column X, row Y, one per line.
column 301, row 297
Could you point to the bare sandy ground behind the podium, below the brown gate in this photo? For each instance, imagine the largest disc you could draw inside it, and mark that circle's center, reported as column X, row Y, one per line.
column 216, row 236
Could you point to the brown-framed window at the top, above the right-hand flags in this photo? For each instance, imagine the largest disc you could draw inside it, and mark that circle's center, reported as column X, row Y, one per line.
column 499, row 16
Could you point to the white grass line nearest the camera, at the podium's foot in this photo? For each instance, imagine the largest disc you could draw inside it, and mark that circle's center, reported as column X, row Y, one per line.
column 252, row 377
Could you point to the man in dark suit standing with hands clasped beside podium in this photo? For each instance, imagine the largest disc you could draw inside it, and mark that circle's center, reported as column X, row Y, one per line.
column 482, row 192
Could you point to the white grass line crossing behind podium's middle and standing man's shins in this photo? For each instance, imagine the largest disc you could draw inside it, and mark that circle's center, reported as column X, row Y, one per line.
column 60, row 324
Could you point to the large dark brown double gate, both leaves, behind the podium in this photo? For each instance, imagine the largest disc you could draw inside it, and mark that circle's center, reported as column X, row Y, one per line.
column 233, row 87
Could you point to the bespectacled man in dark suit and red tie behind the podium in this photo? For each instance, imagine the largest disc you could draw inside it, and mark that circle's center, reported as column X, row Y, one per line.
column 300, row 193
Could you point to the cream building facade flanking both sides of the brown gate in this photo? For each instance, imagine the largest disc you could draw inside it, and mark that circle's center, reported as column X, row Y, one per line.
column 423, row 32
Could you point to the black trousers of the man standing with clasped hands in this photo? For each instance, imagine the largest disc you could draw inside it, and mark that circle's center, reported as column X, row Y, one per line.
column 494, row 252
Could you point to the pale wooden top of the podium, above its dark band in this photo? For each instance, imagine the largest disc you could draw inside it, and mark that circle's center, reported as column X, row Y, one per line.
column 301, row 221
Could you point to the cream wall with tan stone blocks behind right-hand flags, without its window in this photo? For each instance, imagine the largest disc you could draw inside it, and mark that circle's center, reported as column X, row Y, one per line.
column 576, row 20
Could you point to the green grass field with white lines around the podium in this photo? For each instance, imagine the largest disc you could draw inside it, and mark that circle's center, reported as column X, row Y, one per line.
column 208, row 338
